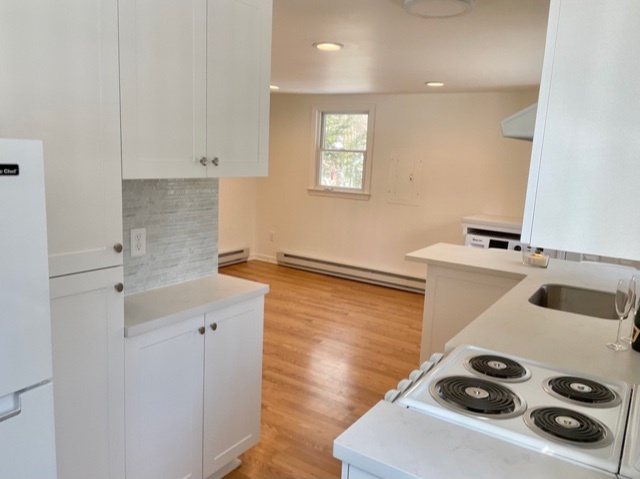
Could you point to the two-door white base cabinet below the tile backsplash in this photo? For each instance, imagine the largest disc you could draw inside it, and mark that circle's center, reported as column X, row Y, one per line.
column 193, row 394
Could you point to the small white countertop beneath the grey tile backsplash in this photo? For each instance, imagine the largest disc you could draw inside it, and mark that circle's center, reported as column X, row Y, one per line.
column 160, row 307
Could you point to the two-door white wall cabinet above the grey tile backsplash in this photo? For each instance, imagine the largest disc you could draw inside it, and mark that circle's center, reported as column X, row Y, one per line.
column 194, row 87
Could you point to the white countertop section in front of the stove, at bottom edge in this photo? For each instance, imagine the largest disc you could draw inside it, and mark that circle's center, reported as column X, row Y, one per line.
column 397, row 443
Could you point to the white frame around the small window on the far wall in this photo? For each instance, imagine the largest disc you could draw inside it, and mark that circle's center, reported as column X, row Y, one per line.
column 315, row 188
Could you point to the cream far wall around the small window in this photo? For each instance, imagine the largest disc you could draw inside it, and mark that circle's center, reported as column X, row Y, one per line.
column 468, row 168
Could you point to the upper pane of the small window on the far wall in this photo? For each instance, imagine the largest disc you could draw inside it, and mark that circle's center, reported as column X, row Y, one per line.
column 345, row 131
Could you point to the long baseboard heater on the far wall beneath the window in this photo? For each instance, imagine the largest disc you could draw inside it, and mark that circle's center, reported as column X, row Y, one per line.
column 356, row 273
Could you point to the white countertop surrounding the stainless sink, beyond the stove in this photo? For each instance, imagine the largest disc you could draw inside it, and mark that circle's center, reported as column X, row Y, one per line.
column 514, row 326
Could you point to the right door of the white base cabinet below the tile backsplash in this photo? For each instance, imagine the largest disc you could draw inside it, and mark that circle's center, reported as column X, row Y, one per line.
column 233, row 382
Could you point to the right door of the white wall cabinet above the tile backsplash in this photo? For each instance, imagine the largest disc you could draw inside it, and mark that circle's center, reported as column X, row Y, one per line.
column 238, row 75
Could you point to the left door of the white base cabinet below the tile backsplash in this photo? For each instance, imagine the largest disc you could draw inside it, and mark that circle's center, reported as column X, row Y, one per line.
column 164, row 402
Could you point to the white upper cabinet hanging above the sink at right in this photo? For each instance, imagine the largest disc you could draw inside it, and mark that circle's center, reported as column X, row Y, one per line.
column 583, row 183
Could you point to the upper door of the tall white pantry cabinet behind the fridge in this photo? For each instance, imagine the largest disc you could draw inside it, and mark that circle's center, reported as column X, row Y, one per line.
column 59, row 83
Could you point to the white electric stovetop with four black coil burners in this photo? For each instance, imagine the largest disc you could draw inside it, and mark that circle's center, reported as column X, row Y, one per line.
column 573, row 416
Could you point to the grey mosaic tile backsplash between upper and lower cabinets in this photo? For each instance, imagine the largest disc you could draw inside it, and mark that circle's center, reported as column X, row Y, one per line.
column 181, row 221
